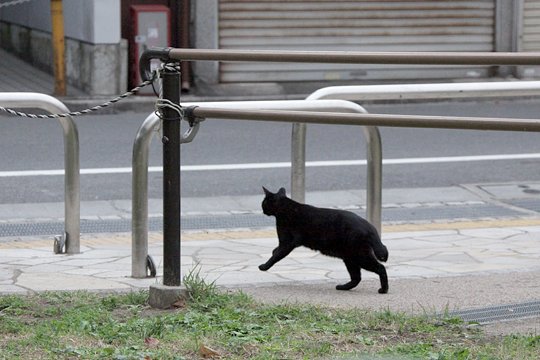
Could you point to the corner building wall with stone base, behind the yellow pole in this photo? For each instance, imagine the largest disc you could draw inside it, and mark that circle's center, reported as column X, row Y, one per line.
column 96, row 56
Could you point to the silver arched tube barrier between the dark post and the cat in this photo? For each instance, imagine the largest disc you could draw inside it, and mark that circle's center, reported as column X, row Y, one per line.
column 141, row 147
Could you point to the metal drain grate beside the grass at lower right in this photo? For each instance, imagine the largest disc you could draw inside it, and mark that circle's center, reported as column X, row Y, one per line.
column 491, row 314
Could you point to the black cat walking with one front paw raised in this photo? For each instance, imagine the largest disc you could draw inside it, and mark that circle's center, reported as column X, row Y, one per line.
column 336, row 233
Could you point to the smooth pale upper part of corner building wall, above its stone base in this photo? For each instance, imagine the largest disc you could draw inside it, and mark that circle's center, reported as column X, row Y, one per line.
column 92, row 21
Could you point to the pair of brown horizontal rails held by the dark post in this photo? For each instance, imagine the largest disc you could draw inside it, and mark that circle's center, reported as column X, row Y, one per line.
column 346, row 57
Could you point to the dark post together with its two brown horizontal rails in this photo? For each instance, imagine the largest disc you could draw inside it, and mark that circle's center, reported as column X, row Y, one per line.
column 172, row 112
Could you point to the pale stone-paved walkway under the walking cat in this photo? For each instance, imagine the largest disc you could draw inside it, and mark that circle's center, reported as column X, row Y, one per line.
column 462, row 251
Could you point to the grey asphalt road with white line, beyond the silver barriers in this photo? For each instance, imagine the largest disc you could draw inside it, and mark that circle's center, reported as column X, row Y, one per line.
column 106, row 143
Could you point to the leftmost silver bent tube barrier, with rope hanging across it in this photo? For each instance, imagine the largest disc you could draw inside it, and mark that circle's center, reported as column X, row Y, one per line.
column 72, row 210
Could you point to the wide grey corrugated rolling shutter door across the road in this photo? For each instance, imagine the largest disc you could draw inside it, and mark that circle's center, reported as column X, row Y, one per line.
column 428, row 25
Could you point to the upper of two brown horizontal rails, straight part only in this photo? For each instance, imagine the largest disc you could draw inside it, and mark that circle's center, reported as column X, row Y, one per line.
column 355, row 57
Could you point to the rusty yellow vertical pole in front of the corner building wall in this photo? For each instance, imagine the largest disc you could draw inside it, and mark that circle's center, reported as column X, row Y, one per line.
column 57, row 21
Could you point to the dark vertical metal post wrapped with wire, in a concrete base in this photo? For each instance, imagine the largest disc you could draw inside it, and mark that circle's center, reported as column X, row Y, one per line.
column 171, row 179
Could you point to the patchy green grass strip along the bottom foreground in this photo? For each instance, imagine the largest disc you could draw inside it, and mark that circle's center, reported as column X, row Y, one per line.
column 84, row 325
